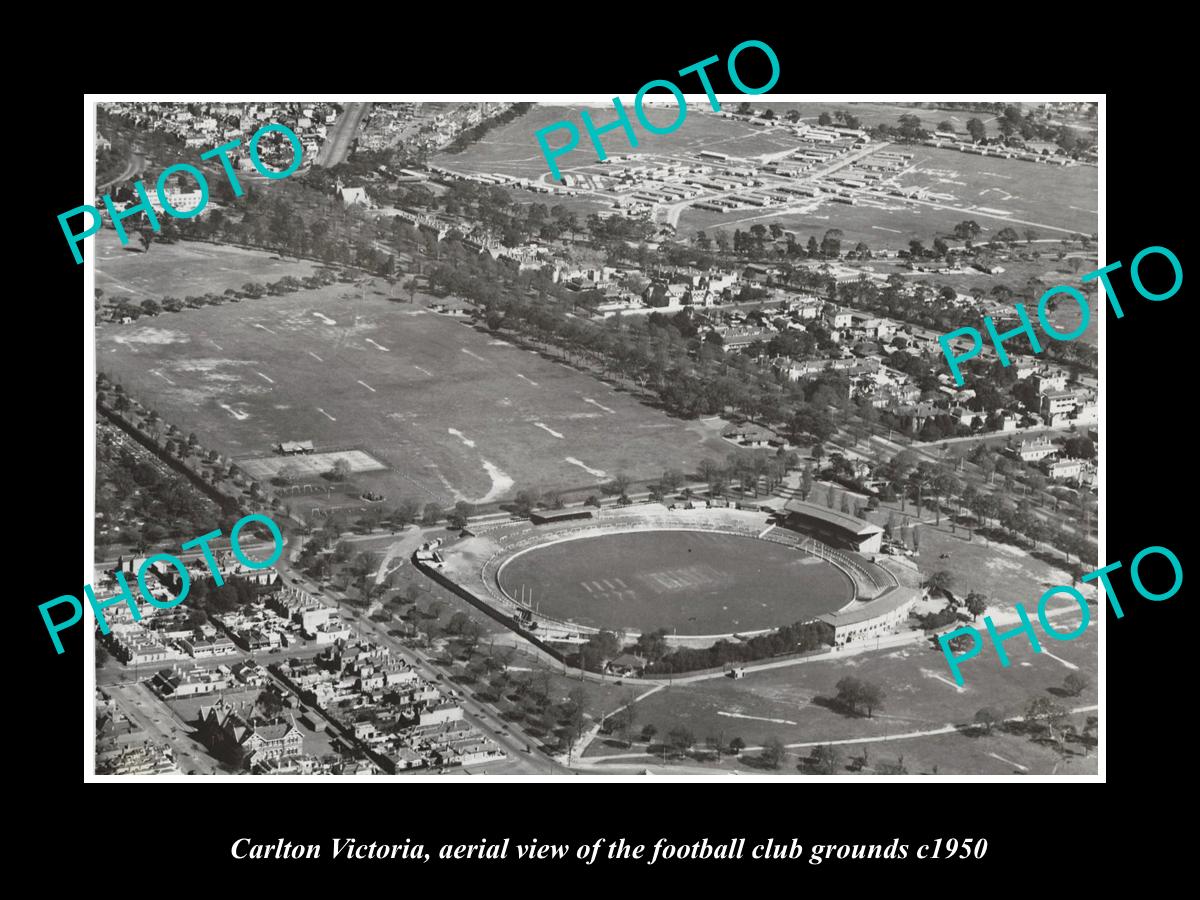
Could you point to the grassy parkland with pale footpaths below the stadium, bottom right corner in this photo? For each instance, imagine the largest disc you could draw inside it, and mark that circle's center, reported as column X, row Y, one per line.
column 790, row 703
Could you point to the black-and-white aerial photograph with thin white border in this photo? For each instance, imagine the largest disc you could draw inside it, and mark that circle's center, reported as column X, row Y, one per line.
column 699, row 436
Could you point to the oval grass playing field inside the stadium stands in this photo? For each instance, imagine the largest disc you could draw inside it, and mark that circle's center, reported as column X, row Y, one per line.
column 693, row 583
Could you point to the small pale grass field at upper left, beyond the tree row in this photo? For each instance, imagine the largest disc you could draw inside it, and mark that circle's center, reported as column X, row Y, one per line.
column 183, row 269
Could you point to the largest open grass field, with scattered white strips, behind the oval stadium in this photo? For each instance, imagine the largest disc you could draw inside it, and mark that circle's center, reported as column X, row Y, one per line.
column 453, row 413
